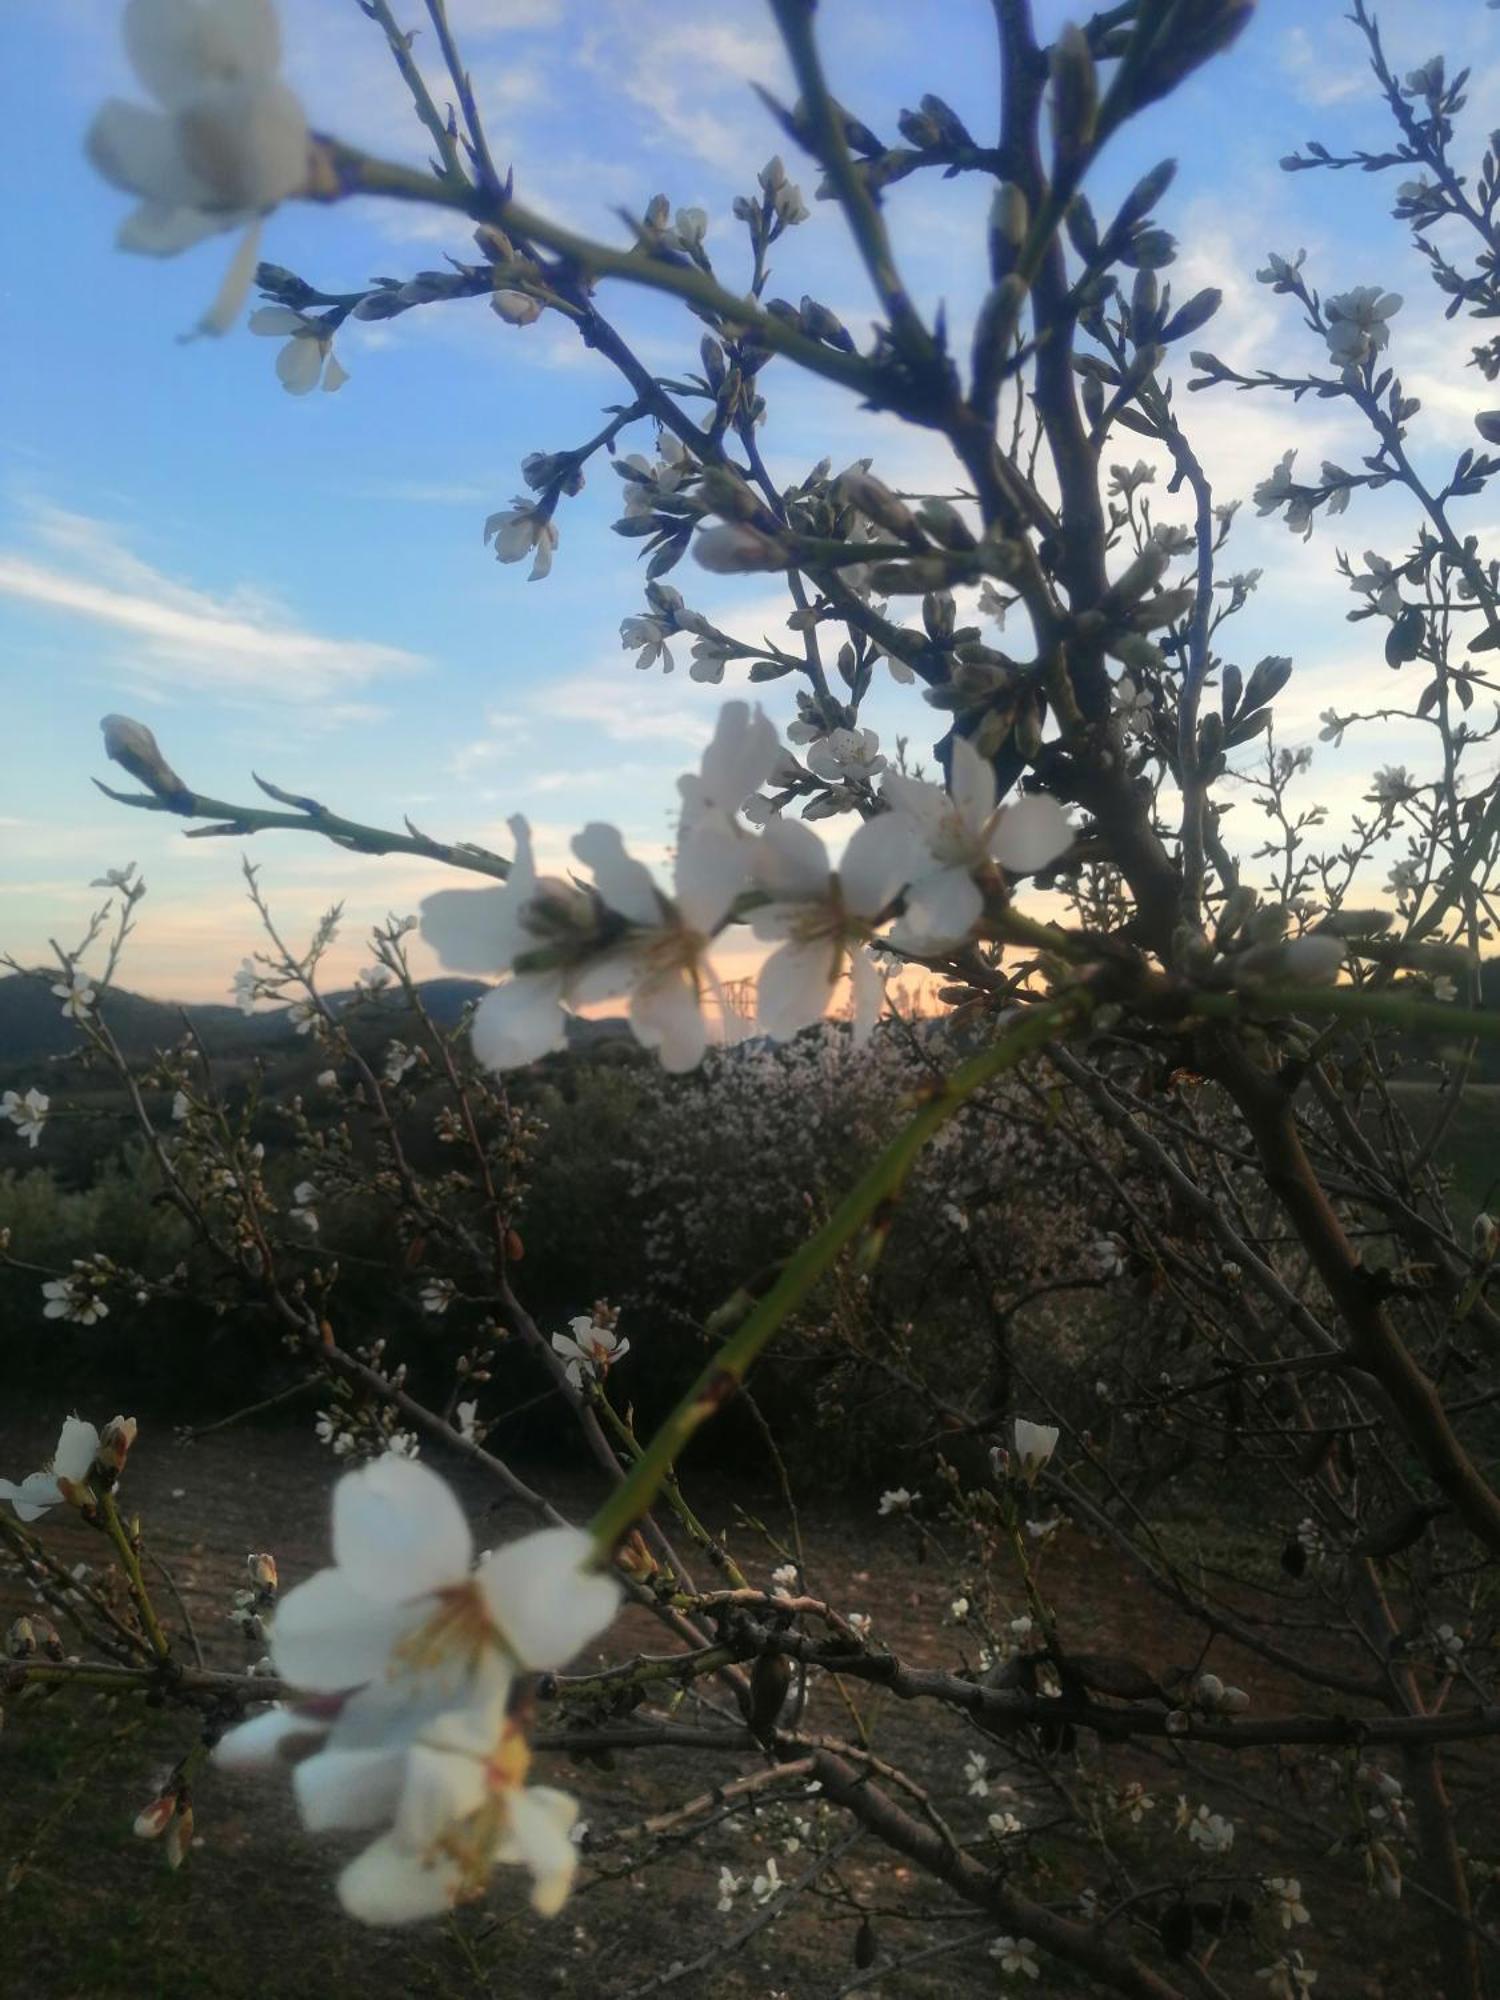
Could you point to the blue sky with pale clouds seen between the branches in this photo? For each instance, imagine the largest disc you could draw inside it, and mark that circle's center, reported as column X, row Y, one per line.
column 299, row 585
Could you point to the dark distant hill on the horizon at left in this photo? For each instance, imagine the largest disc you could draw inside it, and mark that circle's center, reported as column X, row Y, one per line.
column 35, row 1029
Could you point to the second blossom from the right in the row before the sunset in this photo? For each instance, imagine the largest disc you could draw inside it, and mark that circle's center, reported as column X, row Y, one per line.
column 827, row 921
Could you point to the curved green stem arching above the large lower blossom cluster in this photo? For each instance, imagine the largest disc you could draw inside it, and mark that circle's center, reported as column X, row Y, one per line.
column 877, row 1189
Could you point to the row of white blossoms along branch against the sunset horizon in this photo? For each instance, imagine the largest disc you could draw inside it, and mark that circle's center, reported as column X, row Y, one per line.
column 915, row 875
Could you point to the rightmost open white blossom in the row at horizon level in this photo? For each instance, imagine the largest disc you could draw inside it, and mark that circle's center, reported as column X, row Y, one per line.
column 963, row 837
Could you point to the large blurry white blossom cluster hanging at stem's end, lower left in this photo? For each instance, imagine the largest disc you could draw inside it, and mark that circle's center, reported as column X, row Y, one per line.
column 411, row 1667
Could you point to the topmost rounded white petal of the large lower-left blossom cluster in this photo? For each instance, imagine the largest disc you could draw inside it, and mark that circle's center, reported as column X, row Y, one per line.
column 399, row 1531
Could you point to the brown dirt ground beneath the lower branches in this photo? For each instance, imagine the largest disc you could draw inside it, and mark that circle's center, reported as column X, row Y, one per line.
column 89, row 1913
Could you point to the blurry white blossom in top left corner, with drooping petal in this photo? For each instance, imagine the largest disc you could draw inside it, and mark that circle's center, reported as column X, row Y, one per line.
column 227, row 145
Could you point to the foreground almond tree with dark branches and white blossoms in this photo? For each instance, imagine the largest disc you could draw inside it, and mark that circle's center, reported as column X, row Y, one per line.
column 1185, row 1059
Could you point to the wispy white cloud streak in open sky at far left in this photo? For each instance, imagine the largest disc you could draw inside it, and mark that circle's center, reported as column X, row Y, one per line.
column 235, row 647
